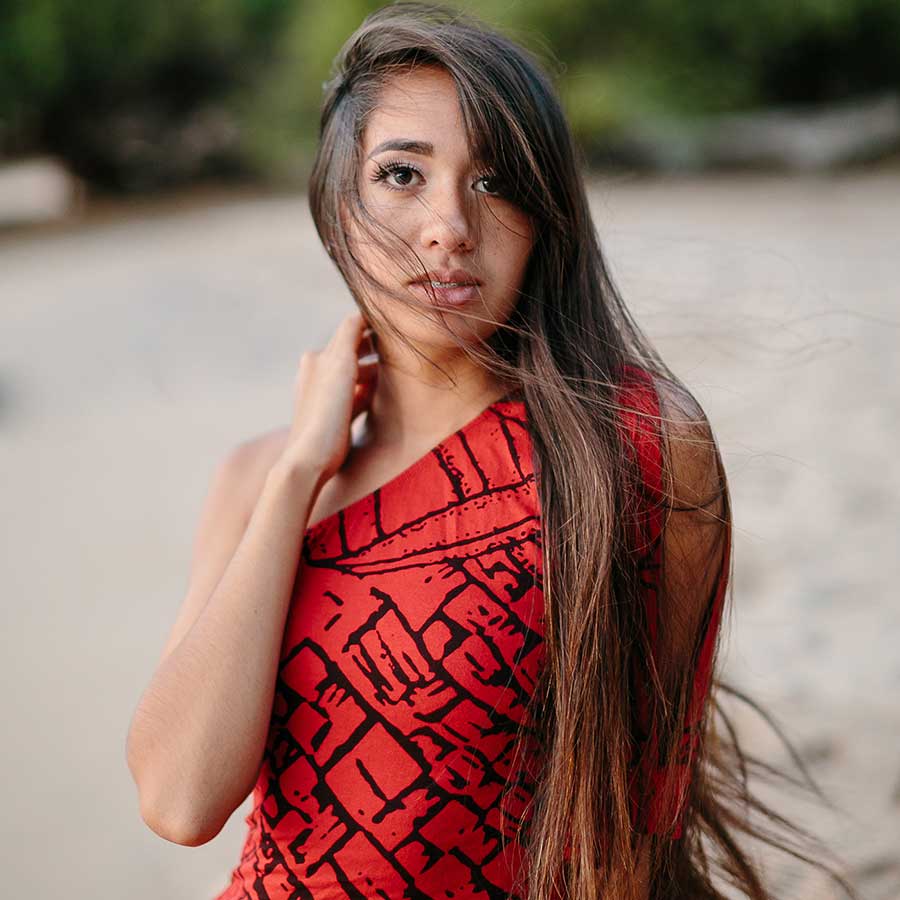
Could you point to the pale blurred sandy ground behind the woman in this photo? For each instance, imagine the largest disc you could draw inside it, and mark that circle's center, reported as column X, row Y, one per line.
column 137, row 349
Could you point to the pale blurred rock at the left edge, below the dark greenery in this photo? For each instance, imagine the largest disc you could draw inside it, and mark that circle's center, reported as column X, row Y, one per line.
column 37, row 190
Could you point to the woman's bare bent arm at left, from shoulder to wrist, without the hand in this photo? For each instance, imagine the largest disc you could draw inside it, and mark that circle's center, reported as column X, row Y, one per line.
column 198, row 735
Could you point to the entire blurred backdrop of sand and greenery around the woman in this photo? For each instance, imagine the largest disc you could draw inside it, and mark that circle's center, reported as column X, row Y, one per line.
column 160, row 277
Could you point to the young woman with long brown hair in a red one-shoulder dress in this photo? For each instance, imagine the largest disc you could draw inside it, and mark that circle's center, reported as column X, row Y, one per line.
column 456, row 626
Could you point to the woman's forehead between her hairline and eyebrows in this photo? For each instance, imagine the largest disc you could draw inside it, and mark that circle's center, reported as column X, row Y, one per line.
column 419, row 105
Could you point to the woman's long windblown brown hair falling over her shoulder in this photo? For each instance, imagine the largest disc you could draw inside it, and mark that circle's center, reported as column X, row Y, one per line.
column 565, row 345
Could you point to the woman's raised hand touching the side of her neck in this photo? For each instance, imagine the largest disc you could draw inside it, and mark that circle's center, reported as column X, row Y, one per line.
column 333, row 386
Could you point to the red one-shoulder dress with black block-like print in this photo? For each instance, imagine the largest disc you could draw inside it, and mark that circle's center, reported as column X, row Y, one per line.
column 413, row 642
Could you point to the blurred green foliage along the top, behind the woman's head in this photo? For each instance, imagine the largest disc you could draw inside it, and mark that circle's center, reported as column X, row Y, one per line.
column 67, row 68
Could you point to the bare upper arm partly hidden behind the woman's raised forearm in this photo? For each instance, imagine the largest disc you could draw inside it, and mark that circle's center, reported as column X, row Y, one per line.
column 234, row 488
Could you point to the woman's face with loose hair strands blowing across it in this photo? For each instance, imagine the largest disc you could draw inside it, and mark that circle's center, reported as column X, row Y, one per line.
column 418, row 180
